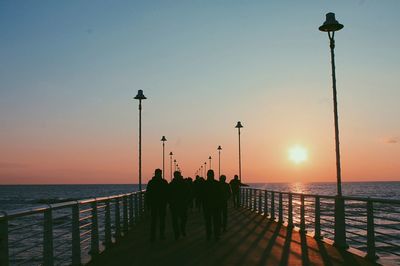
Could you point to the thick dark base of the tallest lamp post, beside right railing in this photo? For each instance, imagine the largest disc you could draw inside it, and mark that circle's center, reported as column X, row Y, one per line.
column 340, row 224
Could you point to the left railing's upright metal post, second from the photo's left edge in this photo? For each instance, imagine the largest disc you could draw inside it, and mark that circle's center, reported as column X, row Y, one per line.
column 48, row 251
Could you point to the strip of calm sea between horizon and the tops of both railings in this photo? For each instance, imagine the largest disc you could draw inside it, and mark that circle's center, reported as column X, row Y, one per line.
column 14, row 197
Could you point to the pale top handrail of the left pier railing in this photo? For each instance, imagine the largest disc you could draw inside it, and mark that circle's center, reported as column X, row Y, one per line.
column 43, row 207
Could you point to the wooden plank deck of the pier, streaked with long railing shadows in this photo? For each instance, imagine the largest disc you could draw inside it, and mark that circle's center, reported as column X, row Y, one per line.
column 250, row 239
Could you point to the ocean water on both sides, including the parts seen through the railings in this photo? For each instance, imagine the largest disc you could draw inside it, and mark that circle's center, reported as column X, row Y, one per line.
column 14, row 197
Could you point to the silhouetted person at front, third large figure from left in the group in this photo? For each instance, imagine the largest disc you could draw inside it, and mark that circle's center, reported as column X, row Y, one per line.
column 212, row 202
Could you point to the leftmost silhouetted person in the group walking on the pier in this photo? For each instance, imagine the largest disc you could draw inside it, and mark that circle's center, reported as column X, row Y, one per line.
column 156, row 199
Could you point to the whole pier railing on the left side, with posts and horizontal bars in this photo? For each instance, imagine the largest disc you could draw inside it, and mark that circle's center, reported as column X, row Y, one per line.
column 69, row 233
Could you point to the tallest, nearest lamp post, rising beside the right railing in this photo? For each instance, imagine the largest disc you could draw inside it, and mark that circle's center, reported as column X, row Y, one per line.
column 330, row 26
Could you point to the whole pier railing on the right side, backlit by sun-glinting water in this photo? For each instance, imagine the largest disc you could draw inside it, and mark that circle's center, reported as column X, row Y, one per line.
column 372, row 226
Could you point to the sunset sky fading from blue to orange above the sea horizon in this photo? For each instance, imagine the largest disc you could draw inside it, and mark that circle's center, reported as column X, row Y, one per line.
column 69, row 71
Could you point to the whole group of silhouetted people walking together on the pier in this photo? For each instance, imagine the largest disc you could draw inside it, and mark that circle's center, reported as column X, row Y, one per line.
column 207, row 195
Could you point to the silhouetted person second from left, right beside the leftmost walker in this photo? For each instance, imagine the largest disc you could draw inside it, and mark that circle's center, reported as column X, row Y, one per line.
column 178, row 202
